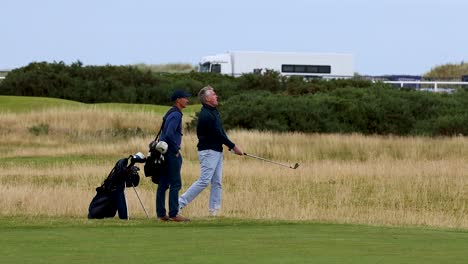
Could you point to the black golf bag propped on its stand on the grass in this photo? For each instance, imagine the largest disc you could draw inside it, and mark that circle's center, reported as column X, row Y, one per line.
column 110, row 196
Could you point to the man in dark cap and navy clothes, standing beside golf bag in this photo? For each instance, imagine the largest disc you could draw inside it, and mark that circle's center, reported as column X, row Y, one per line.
column 171, row 179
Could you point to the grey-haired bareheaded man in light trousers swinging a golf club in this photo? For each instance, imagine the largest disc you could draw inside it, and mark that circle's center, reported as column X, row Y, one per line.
column 211, row 138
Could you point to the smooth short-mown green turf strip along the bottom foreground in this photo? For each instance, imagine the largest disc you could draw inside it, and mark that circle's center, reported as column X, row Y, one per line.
column 113, row 241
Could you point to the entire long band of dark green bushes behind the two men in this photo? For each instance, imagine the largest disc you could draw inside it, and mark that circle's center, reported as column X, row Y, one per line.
column 266, row 101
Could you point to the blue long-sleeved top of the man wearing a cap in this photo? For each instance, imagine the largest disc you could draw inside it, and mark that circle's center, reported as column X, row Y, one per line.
column 172, row 130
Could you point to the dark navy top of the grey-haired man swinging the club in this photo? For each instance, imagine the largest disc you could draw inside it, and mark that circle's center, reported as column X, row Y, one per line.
column 210, row 131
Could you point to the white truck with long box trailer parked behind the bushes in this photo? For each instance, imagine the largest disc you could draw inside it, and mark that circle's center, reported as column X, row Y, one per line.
column 312, row 65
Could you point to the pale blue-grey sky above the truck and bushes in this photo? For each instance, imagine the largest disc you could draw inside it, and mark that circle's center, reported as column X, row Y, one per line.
column 385, row 37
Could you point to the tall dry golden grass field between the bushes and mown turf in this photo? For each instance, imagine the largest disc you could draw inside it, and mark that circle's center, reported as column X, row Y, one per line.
column 341, row 178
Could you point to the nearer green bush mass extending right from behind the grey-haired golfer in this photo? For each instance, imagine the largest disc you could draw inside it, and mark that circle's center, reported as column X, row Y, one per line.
column 376, row 110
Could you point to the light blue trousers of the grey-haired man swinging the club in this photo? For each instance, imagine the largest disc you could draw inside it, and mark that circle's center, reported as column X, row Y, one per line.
column 211, row 172
